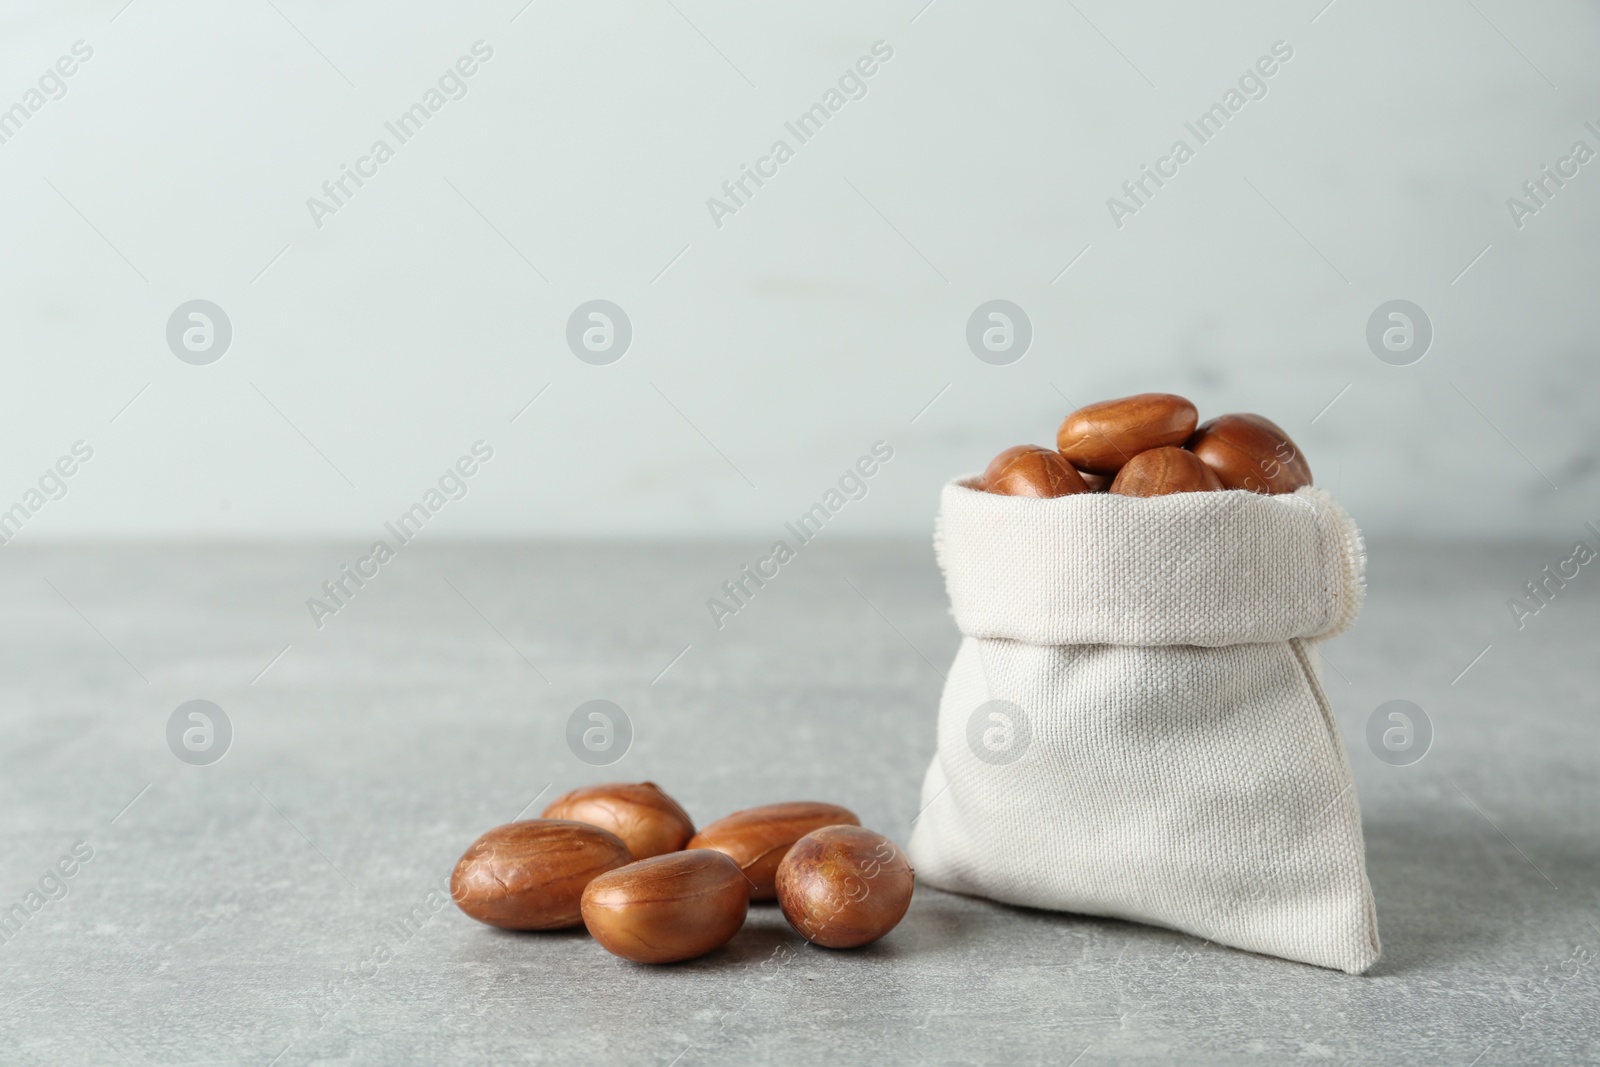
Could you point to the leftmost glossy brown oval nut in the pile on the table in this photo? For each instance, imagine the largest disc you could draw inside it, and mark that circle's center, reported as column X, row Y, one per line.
column 532, row 874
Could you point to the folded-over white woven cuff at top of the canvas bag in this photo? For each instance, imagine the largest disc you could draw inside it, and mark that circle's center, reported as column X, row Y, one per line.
column 1190, row 569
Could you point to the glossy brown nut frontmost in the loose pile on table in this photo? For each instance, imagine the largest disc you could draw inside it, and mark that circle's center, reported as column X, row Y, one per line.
column 668, row 908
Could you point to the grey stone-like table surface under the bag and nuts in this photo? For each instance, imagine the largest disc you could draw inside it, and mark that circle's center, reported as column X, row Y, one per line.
column 255, row 911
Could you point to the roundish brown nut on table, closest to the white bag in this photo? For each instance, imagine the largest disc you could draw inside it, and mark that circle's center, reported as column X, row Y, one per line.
column 844, row 887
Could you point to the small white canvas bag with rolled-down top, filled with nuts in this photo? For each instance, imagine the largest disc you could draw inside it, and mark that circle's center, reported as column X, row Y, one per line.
column 1135, row 727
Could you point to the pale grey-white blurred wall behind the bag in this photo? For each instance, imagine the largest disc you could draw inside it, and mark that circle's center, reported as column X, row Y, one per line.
column 831, row 311
